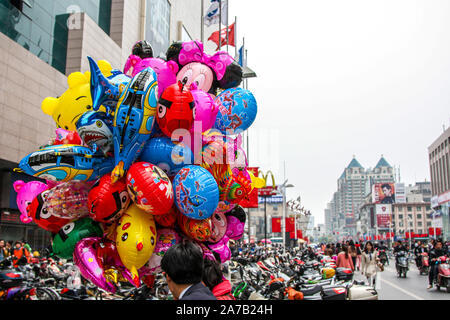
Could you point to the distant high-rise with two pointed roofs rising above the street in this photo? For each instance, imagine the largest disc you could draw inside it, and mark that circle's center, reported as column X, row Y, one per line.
column 354, row 184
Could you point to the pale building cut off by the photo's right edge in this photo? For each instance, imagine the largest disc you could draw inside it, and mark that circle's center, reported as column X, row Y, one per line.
column 439, row 154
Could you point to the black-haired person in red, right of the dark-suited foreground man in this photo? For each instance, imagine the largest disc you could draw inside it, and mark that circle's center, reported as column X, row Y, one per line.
column 213, row 278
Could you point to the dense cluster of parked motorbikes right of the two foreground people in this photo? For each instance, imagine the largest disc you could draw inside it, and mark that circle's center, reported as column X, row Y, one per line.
column 294, row 275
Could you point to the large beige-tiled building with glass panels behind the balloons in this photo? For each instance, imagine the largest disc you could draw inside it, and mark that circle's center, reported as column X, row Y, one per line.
column 41, row 43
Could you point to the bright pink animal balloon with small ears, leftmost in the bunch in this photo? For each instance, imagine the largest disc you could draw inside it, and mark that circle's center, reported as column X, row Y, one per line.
column 26, row 192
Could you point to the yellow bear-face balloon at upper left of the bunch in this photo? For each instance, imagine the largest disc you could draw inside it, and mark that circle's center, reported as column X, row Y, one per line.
column 70, row 106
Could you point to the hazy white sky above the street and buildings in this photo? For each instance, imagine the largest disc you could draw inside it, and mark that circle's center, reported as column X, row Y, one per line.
column 337, row 78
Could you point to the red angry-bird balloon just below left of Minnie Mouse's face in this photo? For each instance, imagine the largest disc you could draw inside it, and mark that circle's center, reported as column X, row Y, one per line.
column 176, row 109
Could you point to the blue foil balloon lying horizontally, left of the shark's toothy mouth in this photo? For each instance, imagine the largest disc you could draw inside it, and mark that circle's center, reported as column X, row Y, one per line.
column 64, row 163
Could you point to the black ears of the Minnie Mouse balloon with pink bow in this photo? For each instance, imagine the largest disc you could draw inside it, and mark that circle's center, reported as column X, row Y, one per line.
column 232, row 77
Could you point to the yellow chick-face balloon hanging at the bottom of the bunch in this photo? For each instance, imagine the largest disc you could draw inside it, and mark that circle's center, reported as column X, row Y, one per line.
column 136, row 239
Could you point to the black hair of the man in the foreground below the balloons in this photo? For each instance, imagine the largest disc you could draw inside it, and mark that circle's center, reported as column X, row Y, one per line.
column 183, row 263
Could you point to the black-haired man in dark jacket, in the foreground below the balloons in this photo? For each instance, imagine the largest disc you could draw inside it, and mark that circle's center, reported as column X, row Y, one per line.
column 183, row 268
